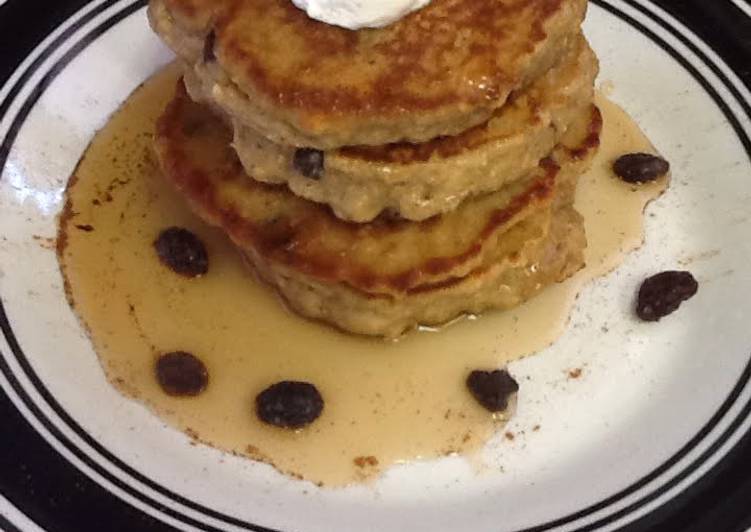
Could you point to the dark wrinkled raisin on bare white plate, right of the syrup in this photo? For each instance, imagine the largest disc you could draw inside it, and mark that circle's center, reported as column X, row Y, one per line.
column 663, row 293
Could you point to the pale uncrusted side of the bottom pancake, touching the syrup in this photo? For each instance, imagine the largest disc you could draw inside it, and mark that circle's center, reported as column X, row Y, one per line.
column 547, row 250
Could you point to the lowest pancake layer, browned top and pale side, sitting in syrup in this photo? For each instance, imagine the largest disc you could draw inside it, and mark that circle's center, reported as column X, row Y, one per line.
column 313, row 258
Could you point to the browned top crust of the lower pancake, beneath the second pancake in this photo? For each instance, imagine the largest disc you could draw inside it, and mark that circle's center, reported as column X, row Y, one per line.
column 194, row 149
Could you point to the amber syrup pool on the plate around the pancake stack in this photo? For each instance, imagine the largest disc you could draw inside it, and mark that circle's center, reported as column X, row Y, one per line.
column 385, row 402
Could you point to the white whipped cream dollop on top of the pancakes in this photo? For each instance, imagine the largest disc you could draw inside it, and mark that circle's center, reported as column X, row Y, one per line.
column 357, row 14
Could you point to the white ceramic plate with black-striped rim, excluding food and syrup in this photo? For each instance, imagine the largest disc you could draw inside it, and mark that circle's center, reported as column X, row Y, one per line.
column 656, row 414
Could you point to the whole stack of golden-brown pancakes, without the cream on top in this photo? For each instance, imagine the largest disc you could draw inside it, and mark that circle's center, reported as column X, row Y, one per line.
column 386, row 178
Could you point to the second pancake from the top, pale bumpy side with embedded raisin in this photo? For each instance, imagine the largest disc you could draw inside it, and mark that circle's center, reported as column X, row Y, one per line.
column 418, row 181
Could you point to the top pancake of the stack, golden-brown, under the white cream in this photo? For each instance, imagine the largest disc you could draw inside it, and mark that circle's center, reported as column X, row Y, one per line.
column 301, row 82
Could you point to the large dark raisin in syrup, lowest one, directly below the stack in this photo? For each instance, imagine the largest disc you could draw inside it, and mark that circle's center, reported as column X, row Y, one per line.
column 289, row 404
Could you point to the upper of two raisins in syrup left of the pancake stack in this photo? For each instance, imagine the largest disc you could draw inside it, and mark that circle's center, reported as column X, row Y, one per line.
column 182, row 252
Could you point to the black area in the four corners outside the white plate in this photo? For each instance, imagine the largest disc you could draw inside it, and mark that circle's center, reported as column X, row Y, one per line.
column 59, row 498
